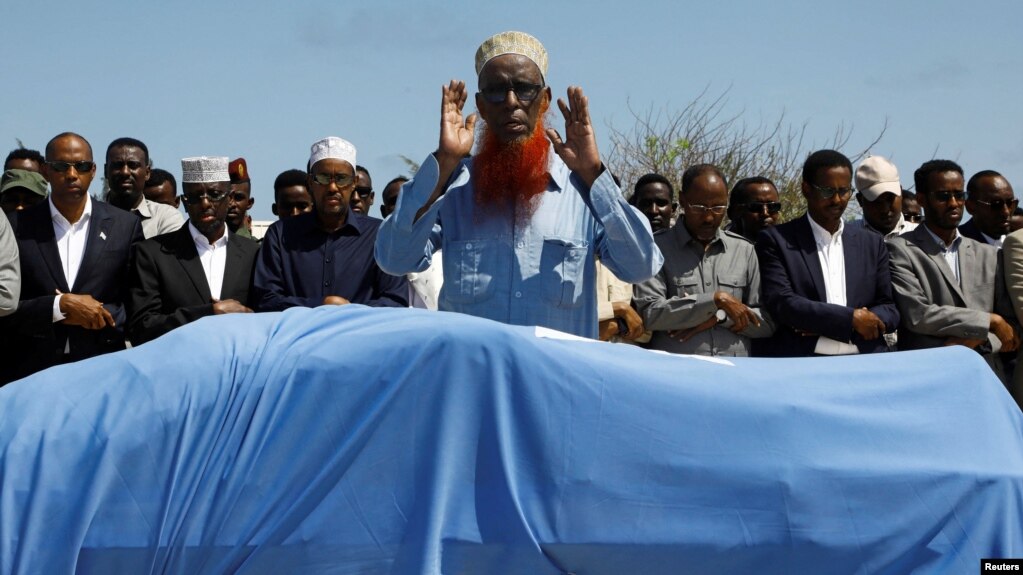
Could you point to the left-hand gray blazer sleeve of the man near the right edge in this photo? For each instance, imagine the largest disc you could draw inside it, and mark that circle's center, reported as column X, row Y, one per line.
column 919, row 314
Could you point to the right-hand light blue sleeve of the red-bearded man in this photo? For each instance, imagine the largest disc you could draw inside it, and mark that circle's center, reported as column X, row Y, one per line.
column 627, row 245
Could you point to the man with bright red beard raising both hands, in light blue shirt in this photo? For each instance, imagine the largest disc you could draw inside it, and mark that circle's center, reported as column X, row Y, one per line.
column 520, row 228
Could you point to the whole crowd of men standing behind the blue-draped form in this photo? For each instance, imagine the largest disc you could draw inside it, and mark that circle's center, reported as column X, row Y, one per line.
column 512, row 222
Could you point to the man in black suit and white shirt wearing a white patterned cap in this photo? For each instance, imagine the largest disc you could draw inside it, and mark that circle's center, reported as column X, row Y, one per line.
column 202, row 270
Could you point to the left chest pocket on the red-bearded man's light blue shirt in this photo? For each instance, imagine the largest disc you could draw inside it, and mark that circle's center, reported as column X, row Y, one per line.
column 469, row 271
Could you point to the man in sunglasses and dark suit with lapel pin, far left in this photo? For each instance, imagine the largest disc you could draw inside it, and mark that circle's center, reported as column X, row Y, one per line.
column 75, row 254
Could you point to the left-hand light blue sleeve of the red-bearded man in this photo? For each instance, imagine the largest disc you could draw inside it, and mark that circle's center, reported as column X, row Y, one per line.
column 405, row 244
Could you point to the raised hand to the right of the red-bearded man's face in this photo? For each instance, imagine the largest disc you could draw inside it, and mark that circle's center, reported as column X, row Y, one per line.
column 579, row 150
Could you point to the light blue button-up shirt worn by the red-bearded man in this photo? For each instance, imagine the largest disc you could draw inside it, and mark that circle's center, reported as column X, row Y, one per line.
column 541, row 273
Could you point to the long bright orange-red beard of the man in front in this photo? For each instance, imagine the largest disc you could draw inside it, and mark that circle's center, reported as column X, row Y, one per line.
column 511, row 176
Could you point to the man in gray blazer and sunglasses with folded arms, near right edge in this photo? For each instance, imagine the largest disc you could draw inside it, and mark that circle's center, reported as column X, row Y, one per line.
column 949, row 288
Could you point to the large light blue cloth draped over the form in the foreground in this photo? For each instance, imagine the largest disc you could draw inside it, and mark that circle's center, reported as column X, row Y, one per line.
column 359, row 440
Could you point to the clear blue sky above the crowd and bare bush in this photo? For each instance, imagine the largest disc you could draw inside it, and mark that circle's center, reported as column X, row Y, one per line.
column 264, row 80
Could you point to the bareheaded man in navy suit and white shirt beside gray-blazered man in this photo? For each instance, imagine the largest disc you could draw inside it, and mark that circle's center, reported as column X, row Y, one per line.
column 827, row 285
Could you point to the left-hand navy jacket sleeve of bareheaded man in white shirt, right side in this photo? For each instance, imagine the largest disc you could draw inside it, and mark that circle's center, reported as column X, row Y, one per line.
column 789, row 307
